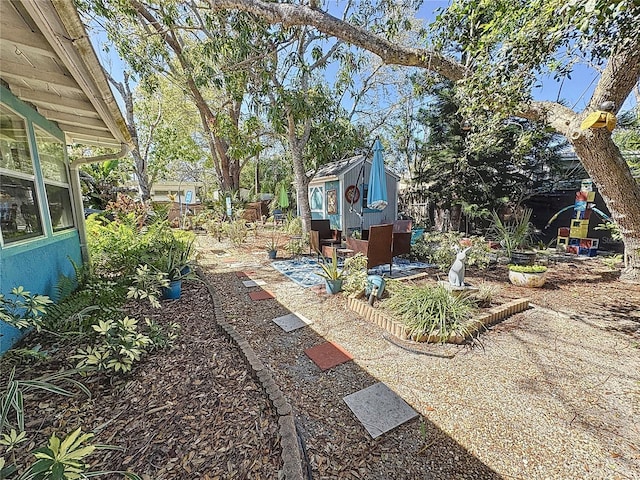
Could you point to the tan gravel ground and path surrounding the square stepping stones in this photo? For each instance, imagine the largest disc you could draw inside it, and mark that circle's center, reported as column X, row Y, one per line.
column 552, row 393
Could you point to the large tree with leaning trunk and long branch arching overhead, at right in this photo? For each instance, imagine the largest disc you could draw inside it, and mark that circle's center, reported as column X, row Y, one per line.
column 511, row 43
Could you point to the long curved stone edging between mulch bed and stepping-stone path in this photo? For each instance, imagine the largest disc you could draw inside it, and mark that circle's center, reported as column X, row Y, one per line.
column 289, row 442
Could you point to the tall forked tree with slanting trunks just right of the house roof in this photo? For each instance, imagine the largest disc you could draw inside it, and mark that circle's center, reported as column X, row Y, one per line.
column 186, row 43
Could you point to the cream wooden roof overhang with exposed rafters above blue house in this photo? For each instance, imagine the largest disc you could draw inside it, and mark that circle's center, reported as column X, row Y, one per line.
column 47, row 60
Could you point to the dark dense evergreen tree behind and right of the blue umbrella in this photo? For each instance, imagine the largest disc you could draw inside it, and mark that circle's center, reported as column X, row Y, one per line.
column 452, row 177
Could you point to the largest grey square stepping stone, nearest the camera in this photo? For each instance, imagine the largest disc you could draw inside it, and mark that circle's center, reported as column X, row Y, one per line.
column 379, row 409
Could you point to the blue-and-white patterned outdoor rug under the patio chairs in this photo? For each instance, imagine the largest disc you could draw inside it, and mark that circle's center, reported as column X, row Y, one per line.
column 304, row 271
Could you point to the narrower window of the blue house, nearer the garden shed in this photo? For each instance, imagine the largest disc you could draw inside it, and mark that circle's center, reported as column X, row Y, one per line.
column 51, row 152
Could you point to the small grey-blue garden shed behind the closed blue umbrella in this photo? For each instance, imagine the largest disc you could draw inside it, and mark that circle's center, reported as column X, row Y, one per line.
column 338, row 192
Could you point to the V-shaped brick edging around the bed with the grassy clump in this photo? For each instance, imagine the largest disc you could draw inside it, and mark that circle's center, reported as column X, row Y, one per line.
column 475, row 324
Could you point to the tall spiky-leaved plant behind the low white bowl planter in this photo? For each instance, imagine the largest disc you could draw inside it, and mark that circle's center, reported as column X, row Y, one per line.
column 515, row 237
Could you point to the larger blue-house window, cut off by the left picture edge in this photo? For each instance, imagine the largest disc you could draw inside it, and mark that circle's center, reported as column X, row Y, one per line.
column 20, row 216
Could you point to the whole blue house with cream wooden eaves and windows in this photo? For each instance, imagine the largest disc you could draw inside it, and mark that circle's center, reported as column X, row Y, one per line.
column 53, row 93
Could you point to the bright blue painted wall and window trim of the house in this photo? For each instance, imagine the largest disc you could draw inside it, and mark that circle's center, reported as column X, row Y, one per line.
column 35, row 264
